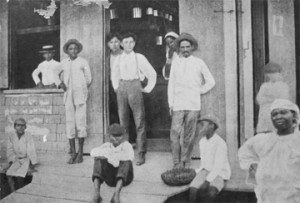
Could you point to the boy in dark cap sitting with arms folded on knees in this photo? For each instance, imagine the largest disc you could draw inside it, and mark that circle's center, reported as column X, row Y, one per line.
column 113, row 163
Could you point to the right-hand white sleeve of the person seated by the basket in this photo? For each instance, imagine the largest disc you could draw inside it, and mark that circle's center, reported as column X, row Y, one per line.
column 219, row 161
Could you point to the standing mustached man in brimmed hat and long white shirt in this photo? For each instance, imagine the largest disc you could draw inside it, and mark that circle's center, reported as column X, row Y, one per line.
column 184, row 96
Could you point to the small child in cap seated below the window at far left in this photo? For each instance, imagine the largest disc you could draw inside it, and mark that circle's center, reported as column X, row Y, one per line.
column 21, row 155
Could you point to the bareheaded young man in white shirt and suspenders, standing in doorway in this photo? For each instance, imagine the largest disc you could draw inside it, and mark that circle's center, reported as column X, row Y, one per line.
column 127, row 72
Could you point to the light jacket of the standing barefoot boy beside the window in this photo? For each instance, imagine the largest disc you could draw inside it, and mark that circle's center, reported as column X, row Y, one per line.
column 77, row 77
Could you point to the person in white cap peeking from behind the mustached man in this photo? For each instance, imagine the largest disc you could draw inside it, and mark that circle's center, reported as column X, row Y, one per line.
column 170, row 53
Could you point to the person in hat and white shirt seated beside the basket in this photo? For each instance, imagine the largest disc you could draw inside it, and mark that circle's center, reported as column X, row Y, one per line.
column 214, row 168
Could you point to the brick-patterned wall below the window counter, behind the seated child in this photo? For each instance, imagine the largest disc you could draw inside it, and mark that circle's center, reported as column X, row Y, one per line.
column 45, row 116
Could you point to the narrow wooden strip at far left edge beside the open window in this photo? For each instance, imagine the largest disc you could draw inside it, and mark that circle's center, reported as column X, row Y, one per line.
column 3, row 44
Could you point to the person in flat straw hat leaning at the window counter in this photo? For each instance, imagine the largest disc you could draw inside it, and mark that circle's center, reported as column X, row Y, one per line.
column 50, row 69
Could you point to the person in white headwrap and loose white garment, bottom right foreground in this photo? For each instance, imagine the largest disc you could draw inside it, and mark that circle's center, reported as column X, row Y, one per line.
column 274, row 158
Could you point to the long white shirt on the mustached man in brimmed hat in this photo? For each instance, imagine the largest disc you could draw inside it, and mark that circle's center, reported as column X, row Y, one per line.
column 185, row 83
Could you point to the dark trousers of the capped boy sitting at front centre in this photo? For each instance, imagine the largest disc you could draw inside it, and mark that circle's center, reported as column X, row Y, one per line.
column 104, row 171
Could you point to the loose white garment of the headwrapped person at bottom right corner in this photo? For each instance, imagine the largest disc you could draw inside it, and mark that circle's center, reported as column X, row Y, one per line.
column 278, row 172
